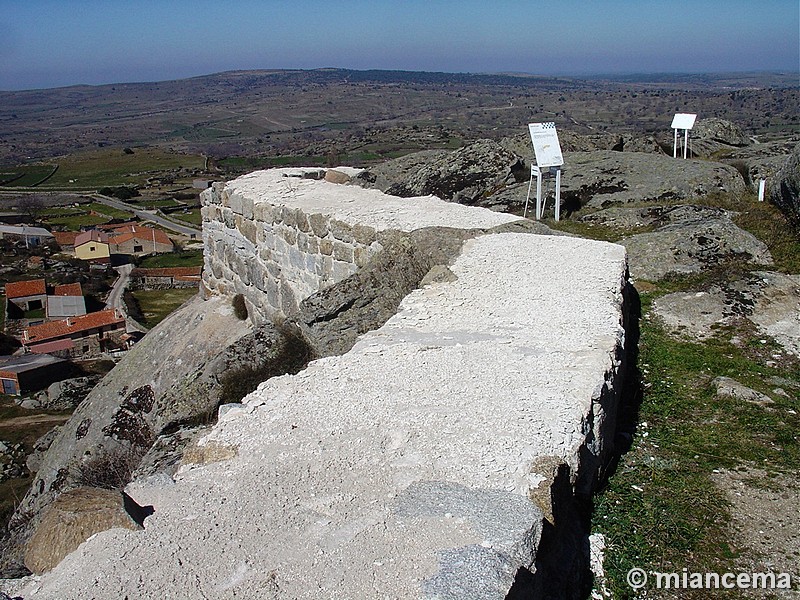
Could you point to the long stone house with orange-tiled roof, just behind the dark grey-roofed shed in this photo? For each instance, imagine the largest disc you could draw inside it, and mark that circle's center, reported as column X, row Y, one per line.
column 79, row 337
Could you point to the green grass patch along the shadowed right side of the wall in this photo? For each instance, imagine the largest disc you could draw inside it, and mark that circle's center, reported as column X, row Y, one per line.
column 661, row 511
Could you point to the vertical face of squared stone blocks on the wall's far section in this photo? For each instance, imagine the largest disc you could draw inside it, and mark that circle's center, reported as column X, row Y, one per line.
column 276, row 255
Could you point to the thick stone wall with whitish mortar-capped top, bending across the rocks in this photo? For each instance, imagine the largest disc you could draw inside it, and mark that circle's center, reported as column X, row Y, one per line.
column 428, row 461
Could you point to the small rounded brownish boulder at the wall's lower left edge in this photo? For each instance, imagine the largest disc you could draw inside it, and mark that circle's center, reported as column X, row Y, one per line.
column 71, row 520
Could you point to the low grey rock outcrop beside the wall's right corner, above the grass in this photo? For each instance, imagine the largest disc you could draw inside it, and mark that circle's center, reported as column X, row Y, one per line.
column 688, row 240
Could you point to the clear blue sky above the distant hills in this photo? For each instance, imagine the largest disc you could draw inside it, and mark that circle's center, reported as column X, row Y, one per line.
column 49, row 43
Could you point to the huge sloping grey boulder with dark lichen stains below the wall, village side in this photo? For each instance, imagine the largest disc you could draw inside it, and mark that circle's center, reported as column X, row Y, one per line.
column 169, row 379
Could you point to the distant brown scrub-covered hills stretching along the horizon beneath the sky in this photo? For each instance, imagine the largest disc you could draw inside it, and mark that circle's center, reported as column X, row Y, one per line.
column 240, row 113
